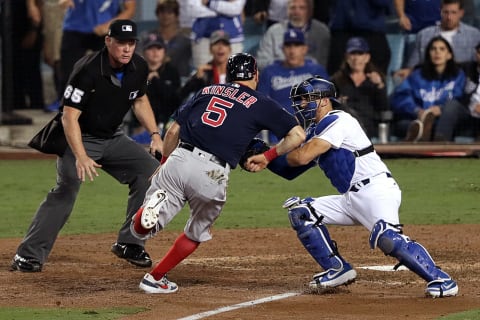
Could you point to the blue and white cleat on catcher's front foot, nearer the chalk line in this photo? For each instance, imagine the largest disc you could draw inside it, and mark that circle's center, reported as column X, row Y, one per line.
column 333, row 278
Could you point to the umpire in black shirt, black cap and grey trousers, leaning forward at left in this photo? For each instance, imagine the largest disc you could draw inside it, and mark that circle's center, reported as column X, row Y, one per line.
column 102, row 88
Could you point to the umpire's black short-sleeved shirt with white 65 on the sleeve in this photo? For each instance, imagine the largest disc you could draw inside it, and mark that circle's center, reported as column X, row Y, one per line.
column 103, row 94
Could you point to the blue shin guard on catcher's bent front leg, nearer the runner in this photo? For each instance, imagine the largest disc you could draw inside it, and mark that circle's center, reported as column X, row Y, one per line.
column 315, row 237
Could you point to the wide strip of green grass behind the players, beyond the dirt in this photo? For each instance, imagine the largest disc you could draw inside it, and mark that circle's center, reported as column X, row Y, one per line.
column 434, row 191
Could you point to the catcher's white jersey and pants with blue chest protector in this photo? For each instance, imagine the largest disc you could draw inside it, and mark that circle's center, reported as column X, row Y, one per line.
column 368, row 191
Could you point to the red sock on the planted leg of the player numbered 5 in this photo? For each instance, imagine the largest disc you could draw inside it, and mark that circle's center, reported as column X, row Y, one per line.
column 182, row 248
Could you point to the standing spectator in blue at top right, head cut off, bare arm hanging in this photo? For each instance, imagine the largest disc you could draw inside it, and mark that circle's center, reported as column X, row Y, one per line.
column 414, row 15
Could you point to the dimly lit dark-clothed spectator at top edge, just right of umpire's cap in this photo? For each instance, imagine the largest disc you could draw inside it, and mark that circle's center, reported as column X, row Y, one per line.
column 178, row 46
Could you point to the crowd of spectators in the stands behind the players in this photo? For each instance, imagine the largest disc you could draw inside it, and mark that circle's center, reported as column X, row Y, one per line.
column 435, row 93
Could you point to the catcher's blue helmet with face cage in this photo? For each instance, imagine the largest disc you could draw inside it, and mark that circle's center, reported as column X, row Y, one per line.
column 305, row 94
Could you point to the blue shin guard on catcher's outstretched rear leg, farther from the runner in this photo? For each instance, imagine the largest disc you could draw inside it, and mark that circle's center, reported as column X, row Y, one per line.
column 414, row 256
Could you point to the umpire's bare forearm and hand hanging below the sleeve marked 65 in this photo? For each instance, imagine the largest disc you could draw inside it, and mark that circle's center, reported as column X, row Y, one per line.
column 86, row 166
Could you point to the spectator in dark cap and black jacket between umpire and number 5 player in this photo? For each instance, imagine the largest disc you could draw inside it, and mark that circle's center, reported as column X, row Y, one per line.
column 164, row 82
